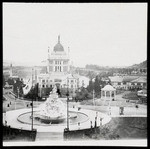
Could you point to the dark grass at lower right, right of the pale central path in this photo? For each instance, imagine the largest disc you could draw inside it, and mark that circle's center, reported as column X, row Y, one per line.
column 119, row 128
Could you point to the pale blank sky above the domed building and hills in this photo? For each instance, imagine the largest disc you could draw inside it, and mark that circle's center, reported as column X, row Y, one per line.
column 105, row 34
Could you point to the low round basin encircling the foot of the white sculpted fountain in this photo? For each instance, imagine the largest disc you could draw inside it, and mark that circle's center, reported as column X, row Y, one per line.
column 74, row 118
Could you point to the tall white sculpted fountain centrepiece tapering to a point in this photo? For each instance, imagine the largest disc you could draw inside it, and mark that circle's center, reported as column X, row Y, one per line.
column 52, row 110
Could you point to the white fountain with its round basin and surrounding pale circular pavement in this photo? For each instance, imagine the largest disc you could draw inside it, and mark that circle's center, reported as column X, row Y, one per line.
column 51, row 116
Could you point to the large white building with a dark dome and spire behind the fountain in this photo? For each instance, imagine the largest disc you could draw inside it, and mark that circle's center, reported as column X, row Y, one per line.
column 58, row 71
